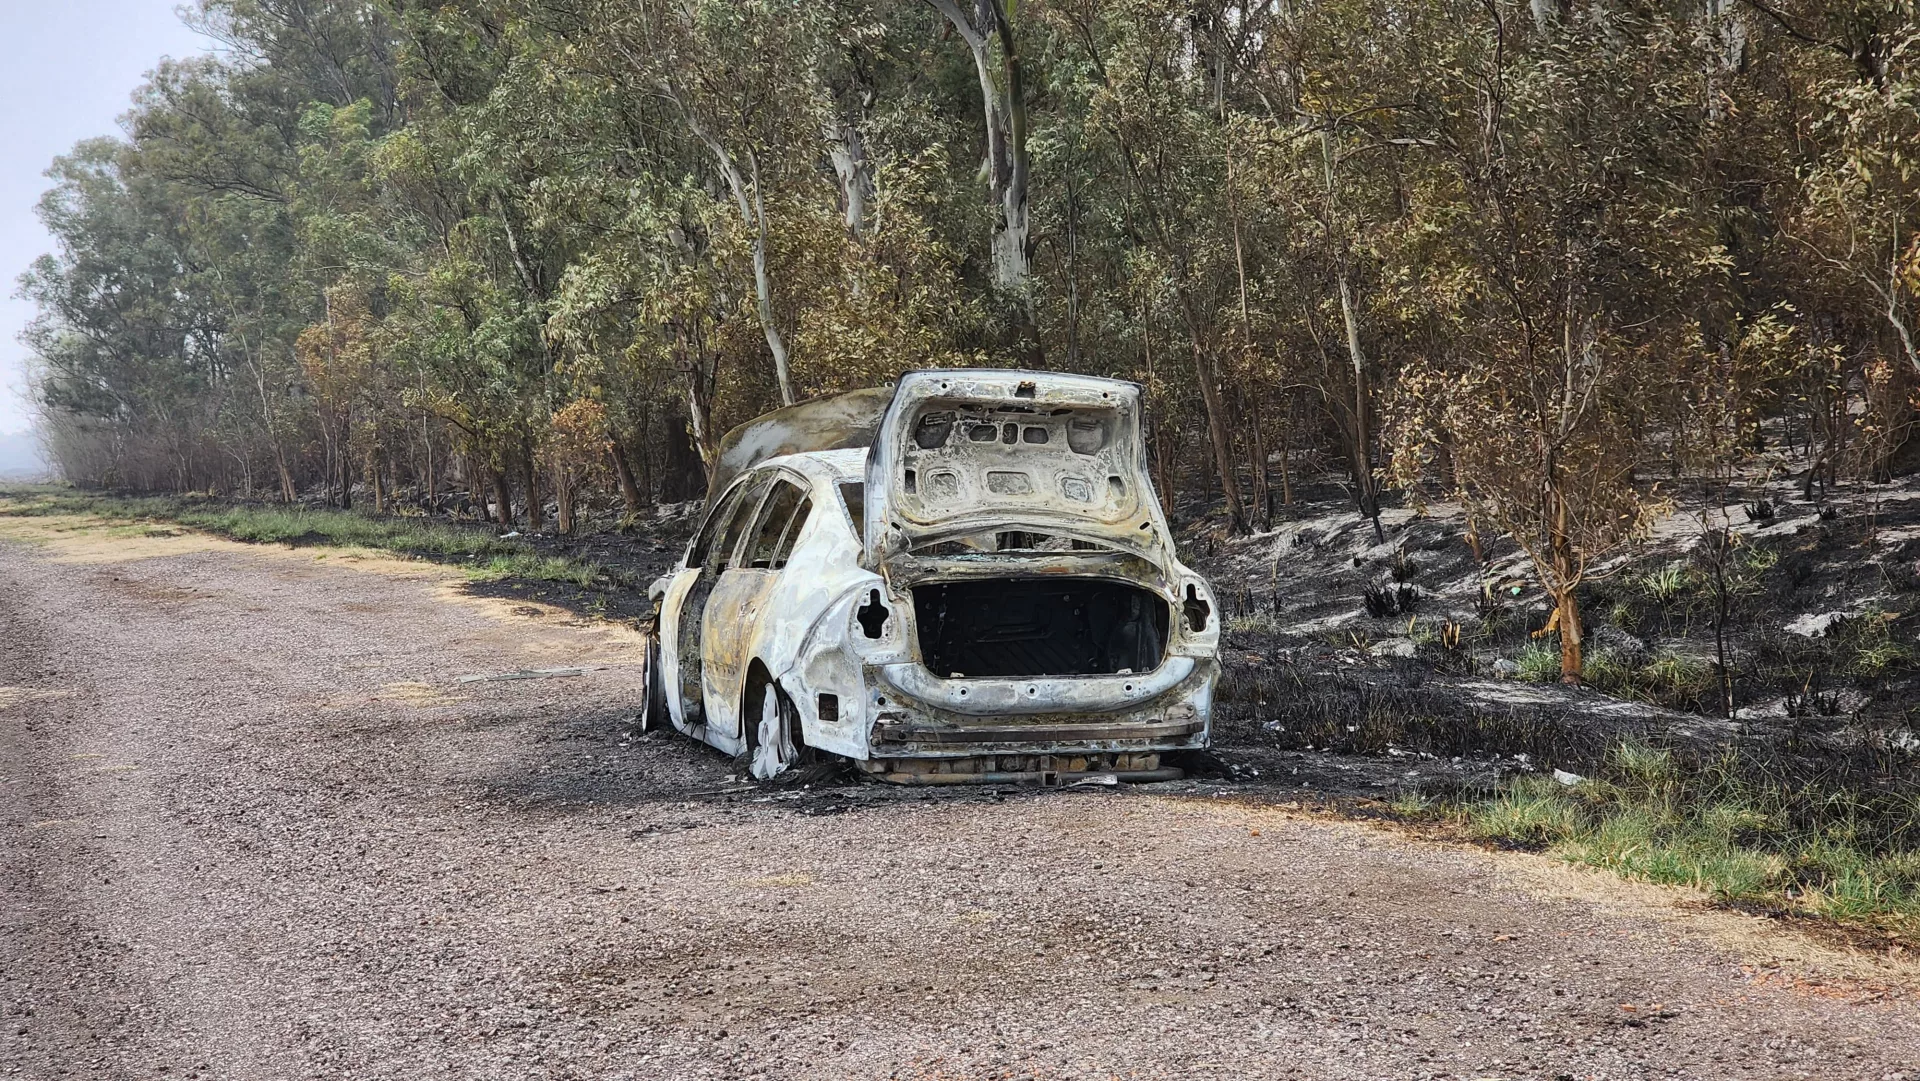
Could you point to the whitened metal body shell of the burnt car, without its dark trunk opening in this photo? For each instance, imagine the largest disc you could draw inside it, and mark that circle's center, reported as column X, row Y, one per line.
column 828, row 617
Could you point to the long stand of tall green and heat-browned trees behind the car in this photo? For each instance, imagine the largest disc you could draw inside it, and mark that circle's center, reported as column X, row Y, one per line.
column 1527, row 254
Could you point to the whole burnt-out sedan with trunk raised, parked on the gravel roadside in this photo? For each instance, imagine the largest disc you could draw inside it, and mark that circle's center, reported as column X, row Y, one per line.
column 959, row 579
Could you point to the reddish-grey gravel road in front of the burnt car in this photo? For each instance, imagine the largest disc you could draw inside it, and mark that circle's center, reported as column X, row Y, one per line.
column 256, row 827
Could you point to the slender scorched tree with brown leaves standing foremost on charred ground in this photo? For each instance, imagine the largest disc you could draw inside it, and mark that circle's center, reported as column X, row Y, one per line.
column 1570, row 260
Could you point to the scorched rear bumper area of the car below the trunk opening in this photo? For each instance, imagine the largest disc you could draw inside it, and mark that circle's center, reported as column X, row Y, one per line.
column 1176, row 719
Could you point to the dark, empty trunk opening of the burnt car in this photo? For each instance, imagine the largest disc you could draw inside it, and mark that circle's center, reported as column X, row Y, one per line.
column 1040, row 627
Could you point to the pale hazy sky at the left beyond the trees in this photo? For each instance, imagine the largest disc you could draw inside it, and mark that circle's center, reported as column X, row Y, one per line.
column 68, row 74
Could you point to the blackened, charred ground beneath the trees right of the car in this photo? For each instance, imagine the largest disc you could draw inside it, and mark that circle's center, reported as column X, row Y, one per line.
column 1418, row 652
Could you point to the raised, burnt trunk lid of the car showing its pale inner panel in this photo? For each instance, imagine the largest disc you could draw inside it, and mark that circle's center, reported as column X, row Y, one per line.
column 969, row 454
